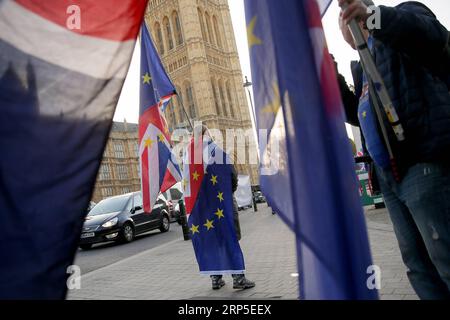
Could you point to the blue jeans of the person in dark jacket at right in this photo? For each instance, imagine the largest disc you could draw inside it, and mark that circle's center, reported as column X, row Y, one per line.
column 419, row 207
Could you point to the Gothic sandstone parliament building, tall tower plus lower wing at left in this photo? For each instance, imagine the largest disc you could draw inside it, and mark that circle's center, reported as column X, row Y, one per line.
column 196, row 43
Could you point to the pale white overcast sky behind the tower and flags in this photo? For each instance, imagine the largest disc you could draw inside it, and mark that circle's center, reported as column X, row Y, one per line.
column 128, row 106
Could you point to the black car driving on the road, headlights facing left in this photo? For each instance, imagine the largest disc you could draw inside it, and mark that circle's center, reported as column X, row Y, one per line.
column 121, row 218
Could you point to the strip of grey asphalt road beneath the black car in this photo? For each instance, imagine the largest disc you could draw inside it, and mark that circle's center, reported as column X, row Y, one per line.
column 102, row 255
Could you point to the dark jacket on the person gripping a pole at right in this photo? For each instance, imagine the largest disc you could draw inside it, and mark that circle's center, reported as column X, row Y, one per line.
column 410, row 51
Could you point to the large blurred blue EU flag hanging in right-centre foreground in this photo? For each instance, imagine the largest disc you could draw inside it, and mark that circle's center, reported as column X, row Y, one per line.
column 307, row 168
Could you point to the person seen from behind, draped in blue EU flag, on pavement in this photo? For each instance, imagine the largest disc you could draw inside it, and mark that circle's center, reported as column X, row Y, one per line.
column 208, row 195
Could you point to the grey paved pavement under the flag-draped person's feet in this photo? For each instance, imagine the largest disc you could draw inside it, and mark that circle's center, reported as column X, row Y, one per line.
column 169, row 271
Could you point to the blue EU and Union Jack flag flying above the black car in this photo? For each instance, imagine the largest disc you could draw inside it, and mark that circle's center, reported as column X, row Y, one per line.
column 159, row 168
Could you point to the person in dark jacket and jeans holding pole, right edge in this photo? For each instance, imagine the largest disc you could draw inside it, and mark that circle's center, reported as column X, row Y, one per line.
column 411, row 53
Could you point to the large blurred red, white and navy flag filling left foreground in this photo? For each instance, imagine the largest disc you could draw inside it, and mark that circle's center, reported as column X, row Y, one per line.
column 62, row 67
